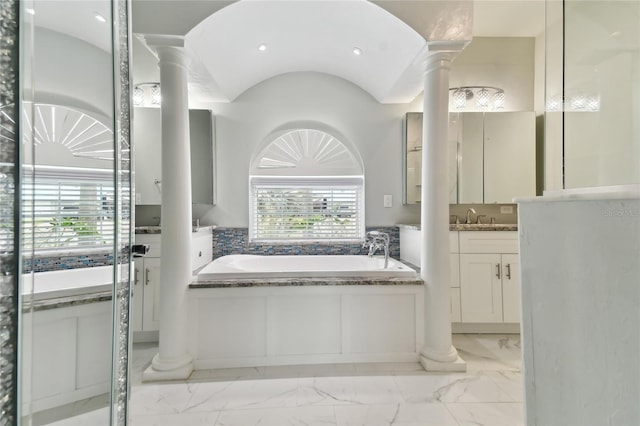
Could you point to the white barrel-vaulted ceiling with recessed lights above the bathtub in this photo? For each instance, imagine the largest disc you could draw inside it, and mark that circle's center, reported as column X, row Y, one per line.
column 305, row 36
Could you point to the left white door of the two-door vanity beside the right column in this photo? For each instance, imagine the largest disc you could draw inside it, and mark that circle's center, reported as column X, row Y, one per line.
column 481, row 287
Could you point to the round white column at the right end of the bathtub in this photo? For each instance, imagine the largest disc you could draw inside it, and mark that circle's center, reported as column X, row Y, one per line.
column 438, row 353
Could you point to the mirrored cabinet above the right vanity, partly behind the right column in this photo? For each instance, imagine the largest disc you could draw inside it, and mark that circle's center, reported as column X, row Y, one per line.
column 492, row 157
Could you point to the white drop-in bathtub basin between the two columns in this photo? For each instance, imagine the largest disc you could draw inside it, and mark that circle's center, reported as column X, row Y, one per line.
column 243, row 266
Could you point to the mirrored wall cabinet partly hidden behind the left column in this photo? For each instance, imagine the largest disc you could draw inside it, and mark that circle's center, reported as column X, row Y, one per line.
column 148, row 156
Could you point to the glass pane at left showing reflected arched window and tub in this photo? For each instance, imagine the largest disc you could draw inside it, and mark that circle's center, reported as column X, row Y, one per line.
column 69, row 210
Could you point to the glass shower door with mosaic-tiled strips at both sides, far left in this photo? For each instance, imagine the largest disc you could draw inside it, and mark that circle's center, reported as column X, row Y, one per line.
column 66, row 210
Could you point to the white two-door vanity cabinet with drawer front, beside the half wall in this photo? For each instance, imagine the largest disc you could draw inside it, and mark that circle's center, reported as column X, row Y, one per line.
column 489, row 277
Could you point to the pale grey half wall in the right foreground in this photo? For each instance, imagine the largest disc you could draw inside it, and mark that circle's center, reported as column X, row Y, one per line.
column 579, row 254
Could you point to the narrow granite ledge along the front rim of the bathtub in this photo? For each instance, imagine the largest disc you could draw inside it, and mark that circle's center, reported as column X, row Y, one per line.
column 301, row 282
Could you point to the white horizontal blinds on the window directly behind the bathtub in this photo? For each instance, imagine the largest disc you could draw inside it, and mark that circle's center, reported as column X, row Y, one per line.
column 304, row 209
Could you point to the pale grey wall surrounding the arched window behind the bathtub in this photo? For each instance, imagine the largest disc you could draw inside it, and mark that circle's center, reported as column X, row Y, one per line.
column 374, row 129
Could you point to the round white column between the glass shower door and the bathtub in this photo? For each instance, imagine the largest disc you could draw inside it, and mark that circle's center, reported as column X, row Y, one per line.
column 173, row 360
